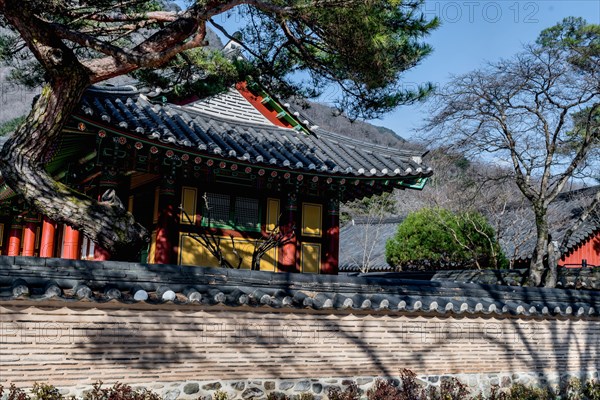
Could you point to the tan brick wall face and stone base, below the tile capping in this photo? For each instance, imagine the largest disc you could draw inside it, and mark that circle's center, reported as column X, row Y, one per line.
column 188, row 348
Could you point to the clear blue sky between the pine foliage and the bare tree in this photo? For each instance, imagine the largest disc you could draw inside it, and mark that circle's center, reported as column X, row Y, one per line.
column 475, row 31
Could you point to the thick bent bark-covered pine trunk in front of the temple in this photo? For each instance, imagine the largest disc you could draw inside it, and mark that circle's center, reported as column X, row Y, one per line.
column 21, row 164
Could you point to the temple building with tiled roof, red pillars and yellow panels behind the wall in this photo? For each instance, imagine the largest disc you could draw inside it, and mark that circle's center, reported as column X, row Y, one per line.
column 236, row 170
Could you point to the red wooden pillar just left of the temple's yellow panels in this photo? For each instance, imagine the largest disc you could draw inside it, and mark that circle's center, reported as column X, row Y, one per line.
column 166, row 229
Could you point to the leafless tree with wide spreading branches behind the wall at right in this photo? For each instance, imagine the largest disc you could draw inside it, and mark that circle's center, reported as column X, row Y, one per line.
column 537, row 113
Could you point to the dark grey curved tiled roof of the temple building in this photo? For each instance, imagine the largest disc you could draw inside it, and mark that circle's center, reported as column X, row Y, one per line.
column 203, row 128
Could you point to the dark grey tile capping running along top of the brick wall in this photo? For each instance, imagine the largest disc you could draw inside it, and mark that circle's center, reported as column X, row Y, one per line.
column 38, row 279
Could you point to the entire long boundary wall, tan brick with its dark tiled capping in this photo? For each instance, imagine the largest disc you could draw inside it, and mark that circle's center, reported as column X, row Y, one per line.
column 75, row 322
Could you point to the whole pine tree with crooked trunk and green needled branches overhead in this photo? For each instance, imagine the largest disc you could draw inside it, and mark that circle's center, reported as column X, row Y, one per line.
column 363, row 46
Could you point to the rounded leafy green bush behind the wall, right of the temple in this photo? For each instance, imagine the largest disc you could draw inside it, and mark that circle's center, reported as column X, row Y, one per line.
column 435, row 238
